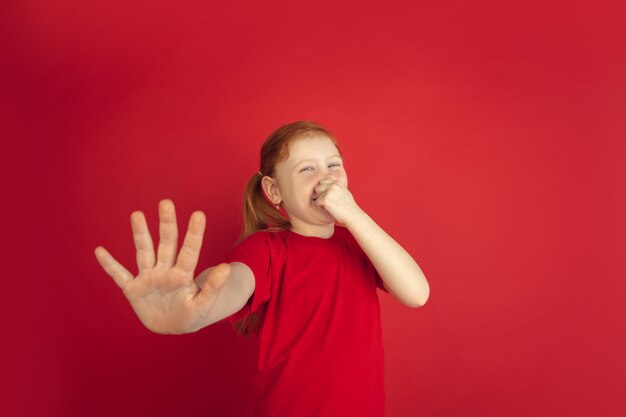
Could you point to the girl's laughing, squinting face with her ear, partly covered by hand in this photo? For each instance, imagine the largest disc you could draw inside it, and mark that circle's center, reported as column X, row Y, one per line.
column 310, row 160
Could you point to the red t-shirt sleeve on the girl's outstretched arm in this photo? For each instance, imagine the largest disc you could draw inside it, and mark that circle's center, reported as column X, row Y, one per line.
column 254, row 252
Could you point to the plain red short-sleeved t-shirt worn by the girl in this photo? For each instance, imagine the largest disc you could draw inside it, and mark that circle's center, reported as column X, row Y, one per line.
column 320, row 339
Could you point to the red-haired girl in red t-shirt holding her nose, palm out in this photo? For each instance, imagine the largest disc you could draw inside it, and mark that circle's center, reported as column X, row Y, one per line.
column 303, row 276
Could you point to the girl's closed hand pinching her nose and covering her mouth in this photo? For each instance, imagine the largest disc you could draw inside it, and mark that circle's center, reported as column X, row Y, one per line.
column 336, row 199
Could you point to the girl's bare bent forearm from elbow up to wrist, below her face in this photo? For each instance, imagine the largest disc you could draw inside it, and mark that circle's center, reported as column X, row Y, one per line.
column 402, row 275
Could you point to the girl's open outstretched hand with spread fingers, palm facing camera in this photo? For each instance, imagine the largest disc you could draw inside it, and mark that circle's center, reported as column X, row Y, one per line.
column 164, row 294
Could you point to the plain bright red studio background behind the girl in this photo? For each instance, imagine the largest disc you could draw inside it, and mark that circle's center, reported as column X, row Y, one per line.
column 485, row 137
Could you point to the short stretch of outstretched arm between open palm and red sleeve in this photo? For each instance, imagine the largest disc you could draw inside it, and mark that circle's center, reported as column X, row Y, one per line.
column 235, row 293
